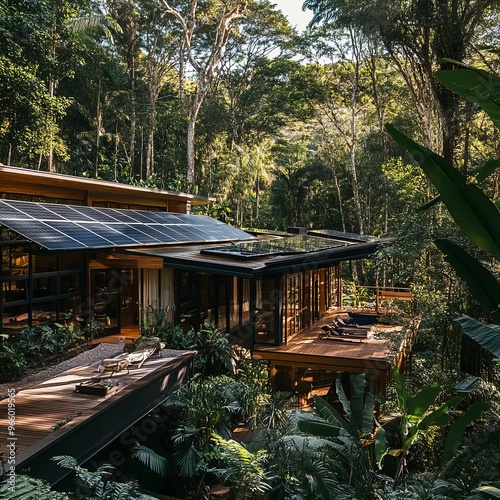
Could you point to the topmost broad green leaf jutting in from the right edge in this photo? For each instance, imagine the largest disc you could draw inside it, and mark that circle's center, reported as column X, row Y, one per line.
column 476, row 85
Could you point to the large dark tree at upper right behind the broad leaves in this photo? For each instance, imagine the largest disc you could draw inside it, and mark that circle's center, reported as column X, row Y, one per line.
column 418, row 35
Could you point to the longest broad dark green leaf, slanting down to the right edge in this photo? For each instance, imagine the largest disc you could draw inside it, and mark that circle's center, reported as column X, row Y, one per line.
column 471, row 209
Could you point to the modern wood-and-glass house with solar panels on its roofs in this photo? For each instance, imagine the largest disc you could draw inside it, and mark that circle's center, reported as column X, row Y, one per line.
column 103, row 250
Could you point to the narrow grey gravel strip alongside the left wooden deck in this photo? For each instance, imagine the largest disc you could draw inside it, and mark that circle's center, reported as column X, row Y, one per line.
column 89, row 357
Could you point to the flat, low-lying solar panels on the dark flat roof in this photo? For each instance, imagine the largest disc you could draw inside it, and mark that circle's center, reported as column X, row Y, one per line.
column 279, row 246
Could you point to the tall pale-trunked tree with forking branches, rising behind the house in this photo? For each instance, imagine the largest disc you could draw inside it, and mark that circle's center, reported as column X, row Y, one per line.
column 206, row 30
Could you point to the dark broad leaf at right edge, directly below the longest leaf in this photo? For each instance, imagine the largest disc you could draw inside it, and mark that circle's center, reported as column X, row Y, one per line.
column 482, row 284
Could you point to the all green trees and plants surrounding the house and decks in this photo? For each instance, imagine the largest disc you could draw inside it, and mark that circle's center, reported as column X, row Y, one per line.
column 291, row 130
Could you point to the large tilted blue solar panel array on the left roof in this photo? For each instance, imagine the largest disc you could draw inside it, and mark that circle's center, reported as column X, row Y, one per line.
column 64, row 227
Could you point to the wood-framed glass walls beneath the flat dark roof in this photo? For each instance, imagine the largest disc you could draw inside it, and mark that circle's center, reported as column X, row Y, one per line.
column 269, row 309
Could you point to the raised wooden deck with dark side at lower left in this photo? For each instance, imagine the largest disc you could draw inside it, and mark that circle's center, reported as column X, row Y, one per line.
column 97, row 419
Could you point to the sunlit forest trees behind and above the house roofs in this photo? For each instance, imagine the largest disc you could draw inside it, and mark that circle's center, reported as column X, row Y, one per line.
column 226, row 99
